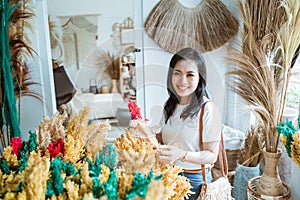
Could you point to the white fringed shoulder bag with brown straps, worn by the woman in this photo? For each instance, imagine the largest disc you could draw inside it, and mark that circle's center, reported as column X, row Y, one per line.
column 220, row 188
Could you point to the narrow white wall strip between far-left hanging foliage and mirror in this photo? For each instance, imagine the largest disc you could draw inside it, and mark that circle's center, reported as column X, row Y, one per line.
column 32, row 109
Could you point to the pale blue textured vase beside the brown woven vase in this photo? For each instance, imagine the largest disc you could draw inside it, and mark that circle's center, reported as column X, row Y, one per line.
column 241, row 177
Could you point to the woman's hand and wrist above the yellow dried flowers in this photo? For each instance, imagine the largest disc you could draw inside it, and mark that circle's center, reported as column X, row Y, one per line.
column 169, row 154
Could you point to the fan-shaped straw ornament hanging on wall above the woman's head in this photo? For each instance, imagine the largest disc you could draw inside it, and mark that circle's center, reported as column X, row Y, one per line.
column 205, row 27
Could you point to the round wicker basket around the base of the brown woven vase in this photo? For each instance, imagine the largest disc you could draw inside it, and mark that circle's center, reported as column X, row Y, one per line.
column 254, row 195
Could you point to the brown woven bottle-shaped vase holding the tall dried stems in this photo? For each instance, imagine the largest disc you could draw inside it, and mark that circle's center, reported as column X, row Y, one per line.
column 270, row 183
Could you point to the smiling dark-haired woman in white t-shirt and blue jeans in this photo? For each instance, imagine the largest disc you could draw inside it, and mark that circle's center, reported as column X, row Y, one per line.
column 185, row 116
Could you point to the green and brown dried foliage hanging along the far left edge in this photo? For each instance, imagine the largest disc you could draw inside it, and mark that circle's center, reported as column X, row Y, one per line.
column 14, row 73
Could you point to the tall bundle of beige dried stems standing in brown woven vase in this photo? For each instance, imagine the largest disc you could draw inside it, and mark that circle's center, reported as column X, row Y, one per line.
column 270, row 39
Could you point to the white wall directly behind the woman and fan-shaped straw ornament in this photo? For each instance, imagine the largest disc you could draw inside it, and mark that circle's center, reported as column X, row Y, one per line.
column 156, row 63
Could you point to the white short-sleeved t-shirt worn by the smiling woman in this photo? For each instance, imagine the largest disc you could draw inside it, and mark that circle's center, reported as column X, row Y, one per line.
column 185, row 133
